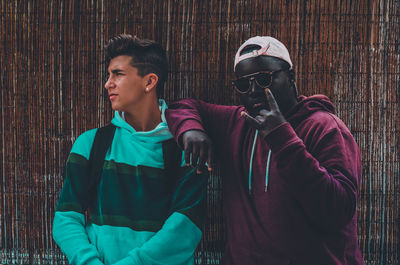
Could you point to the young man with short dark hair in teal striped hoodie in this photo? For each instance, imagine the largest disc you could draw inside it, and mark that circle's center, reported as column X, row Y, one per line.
column 139, row 213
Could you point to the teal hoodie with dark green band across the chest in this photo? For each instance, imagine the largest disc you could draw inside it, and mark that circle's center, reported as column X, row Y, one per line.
column 141, row 216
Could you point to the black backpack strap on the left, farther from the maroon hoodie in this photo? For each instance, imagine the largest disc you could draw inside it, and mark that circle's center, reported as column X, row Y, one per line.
column 102, row 141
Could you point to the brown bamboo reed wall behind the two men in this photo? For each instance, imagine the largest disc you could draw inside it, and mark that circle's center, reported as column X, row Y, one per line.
column 52, row 78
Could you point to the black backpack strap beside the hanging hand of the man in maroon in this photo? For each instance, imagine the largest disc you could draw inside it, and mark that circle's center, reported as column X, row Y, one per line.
column 172, row 155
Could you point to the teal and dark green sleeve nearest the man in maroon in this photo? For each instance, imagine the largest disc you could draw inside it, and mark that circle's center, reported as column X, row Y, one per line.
column 176, row 241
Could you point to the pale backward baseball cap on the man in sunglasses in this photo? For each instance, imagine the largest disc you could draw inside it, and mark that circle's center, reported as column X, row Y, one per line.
column 269, row 46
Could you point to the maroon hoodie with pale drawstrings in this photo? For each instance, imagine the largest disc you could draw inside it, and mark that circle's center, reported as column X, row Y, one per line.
column 298, row 206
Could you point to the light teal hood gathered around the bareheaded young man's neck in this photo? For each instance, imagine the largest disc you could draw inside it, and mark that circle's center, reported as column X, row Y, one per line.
column 159, row 134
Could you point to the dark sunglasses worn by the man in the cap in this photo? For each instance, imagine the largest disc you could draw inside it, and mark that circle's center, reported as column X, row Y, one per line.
column 263, row 79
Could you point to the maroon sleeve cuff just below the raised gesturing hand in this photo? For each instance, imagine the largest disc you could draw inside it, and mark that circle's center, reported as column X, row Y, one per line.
column 281, row 137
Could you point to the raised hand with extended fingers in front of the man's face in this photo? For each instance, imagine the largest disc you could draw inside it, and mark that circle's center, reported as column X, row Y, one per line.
column 266, row 120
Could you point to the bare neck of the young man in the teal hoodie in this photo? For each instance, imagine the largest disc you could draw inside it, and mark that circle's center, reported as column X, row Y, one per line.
column 145, row 116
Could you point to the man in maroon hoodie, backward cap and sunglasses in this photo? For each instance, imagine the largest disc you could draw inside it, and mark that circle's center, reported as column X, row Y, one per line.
column 290, row 167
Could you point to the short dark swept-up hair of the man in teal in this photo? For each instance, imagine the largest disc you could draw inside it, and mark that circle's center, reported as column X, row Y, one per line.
column 148, row 53
